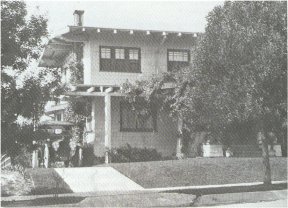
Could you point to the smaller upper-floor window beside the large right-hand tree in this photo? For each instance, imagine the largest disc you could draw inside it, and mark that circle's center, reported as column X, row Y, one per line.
column 177, row 59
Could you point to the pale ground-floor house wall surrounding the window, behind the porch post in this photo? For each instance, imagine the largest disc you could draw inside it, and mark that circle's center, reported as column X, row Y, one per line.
column 163, row 140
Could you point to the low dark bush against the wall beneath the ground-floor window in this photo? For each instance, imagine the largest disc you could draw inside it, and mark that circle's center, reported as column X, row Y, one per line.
column 133, row 154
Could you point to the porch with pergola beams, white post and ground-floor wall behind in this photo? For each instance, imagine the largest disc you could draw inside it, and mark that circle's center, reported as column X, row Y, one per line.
column 113, row 123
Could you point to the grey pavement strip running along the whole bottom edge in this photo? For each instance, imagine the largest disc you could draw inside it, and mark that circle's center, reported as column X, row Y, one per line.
column 149, row 199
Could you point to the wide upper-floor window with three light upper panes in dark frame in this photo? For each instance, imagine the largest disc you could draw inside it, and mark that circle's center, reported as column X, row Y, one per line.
column 120, row 59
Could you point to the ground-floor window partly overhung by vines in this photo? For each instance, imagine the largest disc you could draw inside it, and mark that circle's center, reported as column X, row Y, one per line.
column 131, row 120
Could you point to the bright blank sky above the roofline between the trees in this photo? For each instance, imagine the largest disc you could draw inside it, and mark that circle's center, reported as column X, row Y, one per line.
column 182, row 16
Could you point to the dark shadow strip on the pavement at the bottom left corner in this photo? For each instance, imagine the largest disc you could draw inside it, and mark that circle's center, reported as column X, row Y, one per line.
column 42, row 201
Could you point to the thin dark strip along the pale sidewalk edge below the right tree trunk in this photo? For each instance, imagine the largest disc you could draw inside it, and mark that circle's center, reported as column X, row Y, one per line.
column 235, row 189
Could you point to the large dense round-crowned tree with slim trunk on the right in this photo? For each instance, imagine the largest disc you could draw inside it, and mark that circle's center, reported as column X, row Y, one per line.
column 240, row 70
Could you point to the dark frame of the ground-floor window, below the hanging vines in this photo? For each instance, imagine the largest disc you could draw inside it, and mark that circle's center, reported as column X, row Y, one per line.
column 134, row 129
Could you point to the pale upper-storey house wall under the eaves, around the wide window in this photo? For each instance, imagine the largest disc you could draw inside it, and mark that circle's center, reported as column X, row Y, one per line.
column 153, row 56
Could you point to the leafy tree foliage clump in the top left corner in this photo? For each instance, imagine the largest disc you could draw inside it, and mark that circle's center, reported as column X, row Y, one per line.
column 21, row 37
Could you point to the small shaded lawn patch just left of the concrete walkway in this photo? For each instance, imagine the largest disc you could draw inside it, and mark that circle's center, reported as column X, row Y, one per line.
column 47, row 181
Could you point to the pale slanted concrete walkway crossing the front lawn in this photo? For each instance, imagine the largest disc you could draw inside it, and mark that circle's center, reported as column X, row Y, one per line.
column 94, row 179
